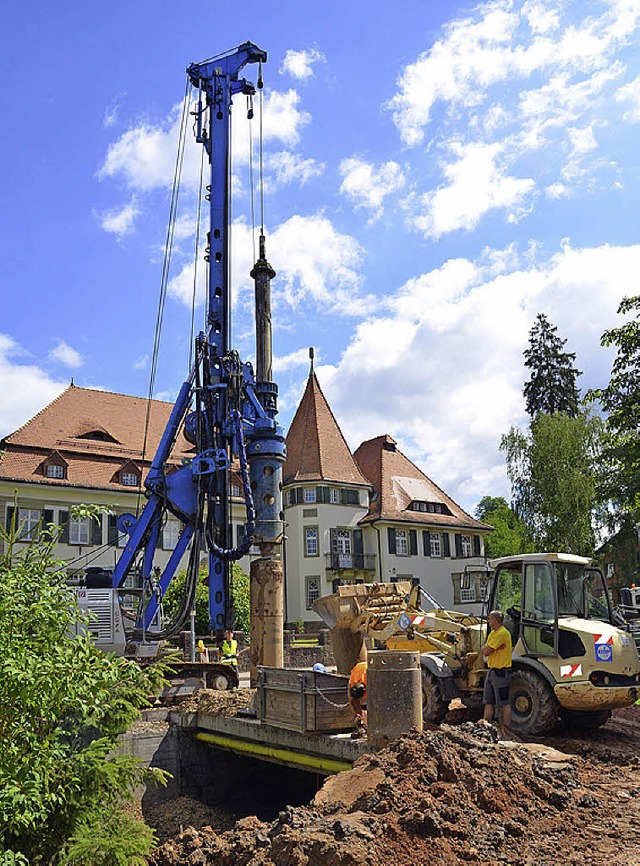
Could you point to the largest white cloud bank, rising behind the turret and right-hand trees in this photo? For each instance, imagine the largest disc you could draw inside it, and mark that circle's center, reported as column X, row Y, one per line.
column 442, row 370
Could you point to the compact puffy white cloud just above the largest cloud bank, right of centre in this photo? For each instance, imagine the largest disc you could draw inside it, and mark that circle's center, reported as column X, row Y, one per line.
column 477, row 183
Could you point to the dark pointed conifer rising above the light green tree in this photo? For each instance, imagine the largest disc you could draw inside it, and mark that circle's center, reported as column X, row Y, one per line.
column 552, row 383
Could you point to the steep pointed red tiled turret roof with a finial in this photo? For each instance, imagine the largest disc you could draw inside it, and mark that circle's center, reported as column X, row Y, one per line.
column 316, row 448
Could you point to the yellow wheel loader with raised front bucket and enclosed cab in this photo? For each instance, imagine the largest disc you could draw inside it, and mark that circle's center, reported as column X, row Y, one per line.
column 570, row 659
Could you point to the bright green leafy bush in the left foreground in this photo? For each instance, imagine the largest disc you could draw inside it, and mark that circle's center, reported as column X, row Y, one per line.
column 63, row 704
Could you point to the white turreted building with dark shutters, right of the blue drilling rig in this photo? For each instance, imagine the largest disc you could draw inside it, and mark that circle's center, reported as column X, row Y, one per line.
column 370, row 516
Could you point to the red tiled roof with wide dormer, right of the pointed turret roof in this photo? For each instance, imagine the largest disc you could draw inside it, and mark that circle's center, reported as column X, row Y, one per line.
column 397, row 482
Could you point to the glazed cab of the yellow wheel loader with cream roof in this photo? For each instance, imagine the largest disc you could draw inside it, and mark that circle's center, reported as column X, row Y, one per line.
column 535, row 591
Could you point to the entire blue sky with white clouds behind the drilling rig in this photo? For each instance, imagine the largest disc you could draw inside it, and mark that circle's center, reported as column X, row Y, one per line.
column 434, row 180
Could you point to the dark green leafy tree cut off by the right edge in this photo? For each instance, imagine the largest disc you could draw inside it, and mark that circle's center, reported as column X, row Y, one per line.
column 621, row 401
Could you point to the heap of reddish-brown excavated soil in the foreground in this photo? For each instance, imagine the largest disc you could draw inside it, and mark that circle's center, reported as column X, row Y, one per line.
column 451, row 795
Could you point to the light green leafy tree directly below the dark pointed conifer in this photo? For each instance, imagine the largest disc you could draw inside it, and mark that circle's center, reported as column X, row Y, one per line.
column 554, row 471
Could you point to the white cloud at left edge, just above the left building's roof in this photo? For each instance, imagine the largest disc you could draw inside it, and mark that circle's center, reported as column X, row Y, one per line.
column 26, row 388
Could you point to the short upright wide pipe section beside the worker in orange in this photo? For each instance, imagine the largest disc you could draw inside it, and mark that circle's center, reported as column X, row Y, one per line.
column 394, row 695
